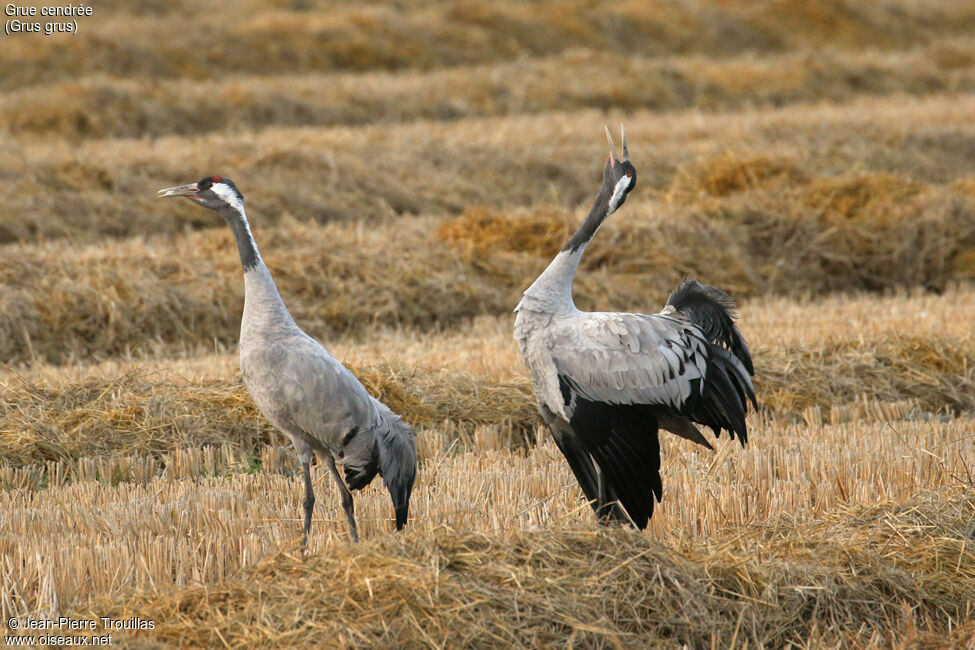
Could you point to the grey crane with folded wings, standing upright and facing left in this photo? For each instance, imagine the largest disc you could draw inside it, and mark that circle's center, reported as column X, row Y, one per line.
column 302, row 389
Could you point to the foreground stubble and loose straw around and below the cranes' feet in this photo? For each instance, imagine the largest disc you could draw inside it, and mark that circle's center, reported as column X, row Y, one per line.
column 843, row 542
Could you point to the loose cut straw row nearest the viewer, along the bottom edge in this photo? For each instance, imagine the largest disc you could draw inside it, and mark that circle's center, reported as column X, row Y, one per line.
column 612, row 589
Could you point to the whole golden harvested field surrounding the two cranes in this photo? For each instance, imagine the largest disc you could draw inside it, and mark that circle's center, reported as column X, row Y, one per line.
column 409, row 168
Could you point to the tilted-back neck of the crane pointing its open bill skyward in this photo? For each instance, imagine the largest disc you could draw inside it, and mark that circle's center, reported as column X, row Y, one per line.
column 552, row 291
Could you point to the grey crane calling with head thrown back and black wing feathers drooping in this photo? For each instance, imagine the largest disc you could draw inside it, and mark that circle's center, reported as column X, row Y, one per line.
column 606, row 382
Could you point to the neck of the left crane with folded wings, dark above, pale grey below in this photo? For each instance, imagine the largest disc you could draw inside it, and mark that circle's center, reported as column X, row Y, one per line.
column 263, row 307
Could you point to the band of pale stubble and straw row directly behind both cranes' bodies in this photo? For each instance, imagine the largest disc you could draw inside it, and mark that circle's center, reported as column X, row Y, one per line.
column 811, row 357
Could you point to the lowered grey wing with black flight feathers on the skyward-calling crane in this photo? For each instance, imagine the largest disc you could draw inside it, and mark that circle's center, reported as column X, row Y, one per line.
column 620, row 376
